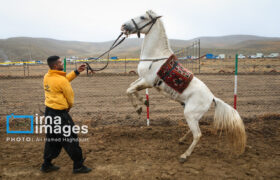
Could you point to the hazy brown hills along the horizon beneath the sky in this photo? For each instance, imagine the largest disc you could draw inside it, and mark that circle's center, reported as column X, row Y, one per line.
column 40, row 48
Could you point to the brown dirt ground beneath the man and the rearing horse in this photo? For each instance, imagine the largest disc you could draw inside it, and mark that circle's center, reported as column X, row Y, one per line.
column 120, row 146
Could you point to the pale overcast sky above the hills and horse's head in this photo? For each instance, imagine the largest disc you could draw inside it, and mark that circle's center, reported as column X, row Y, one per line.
column 100, row 20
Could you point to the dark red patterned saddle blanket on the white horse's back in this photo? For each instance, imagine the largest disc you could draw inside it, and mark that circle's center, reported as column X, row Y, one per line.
column 175, row 75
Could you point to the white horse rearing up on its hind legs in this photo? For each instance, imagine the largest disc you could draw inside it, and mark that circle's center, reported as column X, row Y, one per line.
column 196, row 98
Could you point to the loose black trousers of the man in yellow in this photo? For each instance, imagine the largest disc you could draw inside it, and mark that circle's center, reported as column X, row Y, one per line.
column 55, row 141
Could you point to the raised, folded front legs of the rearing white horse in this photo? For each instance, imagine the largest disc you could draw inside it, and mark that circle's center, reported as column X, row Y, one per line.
column 136, row 86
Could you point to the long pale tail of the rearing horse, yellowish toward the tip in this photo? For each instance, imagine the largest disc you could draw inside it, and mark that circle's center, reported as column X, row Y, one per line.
column 226, row 118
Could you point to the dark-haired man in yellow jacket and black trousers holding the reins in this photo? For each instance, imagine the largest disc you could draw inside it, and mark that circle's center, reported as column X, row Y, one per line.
column 59, row 99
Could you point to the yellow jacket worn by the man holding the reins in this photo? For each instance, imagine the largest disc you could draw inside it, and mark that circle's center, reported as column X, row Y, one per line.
column 59, row 94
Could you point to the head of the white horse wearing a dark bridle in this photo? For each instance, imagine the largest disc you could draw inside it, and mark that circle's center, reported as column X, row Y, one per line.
column 140, row 24
